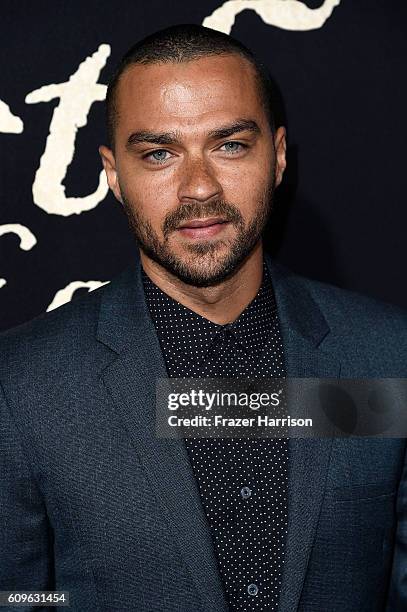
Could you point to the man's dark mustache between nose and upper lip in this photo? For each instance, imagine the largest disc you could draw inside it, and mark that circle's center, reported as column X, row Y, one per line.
column 194, row 210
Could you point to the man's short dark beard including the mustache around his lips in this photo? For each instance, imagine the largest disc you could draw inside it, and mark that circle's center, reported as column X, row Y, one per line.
column 207, row 262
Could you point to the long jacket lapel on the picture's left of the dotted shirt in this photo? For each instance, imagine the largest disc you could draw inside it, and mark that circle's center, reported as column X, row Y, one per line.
column 125, row 326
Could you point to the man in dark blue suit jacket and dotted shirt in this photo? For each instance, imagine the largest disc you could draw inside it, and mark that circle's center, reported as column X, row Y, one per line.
column 92, row 501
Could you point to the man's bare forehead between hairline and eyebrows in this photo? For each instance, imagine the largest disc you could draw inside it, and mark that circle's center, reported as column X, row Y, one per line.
column 188, row 94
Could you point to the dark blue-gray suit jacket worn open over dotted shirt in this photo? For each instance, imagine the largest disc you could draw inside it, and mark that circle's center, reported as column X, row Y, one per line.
column 93, row 503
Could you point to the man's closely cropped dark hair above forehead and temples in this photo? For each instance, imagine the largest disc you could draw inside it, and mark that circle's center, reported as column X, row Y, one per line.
column 182, row 43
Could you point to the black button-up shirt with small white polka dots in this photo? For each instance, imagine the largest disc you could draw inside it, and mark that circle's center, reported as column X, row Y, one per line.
column 243, row 482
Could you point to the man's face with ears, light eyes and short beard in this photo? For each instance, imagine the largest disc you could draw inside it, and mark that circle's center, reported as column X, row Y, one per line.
column 194, row 164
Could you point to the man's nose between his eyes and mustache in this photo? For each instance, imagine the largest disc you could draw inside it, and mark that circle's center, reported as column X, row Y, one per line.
column 198, row 181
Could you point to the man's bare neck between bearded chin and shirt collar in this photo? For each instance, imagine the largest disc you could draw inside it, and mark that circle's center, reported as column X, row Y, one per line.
column 222, row 303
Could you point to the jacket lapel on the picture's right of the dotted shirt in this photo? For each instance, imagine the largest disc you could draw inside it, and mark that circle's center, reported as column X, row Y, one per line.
column 304, row 330
